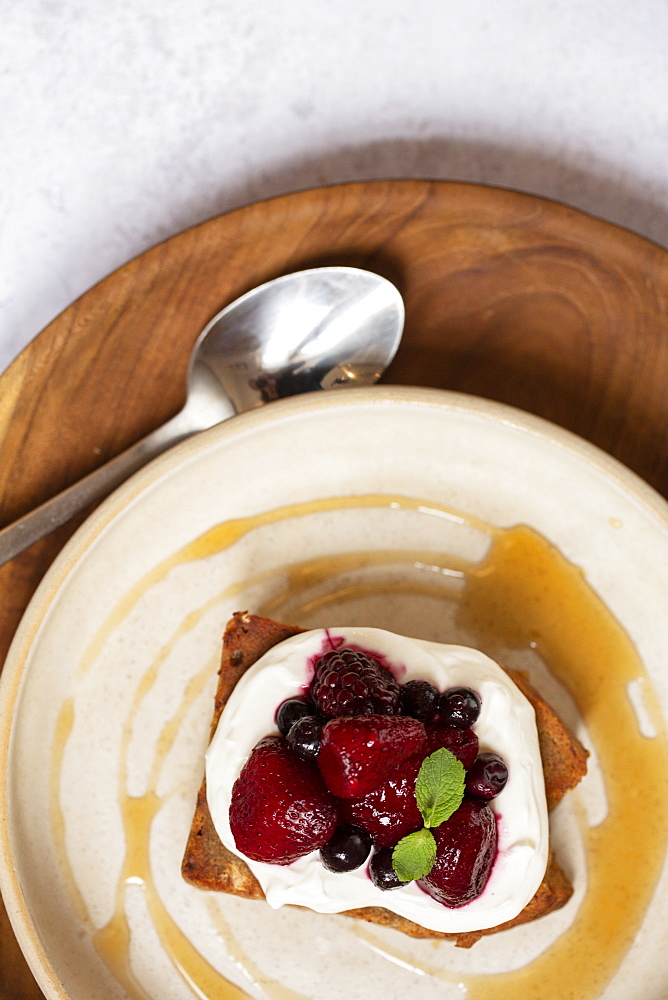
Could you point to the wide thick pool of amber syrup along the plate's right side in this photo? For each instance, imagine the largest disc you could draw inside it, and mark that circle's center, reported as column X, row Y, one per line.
column 595, row 660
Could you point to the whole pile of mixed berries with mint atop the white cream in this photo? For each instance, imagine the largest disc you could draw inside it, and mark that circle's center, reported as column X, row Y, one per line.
column 366, row 769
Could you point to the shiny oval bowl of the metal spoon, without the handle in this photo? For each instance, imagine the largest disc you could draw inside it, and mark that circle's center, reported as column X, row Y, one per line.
column 322, row 328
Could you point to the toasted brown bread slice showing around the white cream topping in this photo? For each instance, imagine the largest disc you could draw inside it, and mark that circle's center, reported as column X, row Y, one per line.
column 209, row 865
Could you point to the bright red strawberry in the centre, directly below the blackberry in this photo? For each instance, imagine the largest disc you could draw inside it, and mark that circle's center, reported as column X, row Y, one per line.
column 361, row 752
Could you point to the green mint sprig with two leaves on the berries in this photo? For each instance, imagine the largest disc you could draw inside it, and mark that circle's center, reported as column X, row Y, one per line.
column 439, row 791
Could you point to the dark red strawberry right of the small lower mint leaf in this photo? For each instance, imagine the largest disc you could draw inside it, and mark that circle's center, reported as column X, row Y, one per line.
column 465, row 854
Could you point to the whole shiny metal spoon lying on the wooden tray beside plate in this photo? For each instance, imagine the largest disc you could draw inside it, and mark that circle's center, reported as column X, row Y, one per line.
column 317, row 329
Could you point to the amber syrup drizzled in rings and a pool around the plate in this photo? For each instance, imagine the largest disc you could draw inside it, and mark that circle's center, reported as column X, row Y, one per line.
column 586, row 956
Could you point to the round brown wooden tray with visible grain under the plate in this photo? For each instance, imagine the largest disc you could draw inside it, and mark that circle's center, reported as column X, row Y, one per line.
column 508, row 296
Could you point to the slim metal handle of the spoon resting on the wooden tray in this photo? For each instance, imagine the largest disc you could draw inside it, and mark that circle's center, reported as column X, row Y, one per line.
column 94, row 487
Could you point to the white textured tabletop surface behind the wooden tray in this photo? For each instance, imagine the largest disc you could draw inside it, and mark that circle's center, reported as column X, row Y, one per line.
column 125, row 121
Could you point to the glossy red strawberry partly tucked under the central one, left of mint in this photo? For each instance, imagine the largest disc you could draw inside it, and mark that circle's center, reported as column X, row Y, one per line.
column 390, row 811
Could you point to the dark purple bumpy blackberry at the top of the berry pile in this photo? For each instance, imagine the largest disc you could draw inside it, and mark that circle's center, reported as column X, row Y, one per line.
column 349, row 682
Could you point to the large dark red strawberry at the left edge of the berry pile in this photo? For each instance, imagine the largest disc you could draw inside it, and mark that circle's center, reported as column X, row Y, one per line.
column 280, row 808
